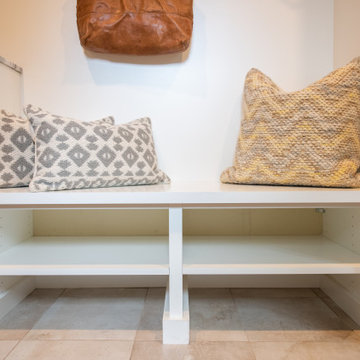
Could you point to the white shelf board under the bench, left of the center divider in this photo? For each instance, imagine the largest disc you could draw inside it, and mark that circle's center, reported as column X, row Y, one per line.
column 87, row 256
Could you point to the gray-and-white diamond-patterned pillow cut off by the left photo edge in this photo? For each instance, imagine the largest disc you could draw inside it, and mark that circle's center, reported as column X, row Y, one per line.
column 16, row 151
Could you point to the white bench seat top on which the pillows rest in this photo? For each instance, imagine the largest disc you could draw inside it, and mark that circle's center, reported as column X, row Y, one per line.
column 185, row 195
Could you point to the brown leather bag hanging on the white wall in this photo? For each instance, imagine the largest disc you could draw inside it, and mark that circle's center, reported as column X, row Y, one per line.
column 135, row 27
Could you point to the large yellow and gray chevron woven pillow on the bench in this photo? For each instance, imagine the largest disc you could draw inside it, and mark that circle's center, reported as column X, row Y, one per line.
column 308, row 137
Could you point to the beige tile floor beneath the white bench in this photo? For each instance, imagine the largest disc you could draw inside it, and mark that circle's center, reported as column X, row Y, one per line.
column 226, row 324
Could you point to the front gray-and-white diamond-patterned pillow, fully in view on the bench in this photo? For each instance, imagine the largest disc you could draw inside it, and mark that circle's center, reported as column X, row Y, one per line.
column 73, row 155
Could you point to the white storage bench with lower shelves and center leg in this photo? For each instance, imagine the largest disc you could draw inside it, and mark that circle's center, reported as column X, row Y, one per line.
column 175, row 257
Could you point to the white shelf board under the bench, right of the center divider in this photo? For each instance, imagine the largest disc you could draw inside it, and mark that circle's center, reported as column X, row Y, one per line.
column 267, row 255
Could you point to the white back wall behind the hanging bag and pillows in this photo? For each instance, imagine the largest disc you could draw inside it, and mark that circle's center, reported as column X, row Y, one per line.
column 193, row 99
